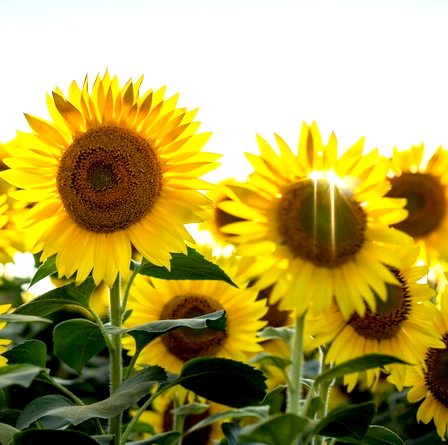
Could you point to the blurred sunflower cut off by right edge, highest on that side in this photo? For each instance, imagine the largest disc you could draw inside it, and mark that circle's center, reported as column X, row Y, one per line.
column 425, row 186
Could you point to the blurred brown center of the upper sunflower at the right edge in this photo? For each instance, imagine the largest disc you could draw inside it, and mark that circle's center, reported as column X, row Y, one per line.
column 426, row 202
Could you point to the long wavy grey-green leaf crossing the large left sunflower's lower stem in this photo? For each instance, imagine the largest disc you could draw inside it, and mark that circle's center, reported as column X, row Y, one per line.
column 128, row 393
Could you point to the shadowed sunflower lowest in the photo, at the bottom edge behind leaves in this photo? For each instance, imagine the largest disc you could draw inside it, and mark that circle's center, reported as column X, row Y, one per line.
column 160, row 417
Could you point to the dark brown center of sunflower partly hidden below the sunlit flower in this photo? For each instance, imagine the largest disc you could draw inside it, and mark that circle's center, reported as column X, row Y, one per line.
column 390, row 314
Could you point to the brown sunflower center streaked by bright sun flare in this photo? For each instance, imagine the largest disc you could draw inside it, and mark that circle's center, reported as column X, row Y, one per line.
column 321, row 223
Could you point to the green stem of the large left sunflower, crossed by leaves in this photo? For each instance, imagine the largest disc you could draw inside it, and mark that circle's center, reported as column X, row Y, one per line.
column 116, row 366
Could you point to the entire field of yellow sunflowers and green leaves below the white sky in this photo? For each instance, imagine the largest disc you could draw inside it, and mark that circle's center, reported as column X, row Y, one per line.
column 304, row 305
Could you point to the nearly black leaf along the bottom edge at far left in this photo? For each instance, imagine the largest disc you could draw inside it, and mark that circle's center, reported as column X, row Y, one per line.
column 33, row 437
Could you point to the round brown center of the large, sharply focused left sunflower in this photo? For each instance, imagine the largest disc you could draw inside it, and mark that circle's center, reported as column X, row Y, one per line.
column 108, row 179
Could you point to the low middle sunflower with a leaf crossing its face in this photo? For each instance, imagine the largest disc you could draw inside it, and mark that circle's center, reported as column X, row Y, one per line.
column 172, row 299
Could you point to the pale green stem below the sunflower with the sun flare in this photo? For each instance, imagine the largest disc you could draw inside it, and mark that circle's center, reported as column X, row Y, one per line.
column 295, row 386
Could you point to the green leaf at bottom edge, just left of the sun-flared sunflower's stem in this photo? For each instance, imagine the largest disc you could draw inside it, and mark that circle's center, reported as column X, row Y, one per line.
column 278, row 429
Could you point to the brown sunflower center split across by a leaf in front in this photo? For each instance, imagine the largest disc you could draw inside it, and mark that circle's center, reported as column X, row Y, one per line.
column 188, row 343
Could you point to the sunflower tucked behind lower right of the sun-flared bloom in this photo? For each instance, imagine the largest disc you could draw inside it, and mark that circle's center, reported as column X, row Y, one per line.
column 399, row 326
